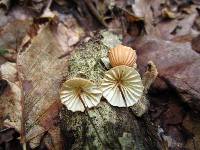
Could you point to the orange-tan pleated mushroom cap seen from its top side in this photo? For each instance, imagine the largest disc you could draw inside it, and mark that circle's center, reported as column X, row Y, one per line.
column 122, row 55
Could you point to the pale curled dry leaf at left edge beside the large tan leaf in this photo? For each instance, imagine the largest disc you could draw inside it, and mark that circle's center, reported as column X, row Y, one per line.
column 11, row 97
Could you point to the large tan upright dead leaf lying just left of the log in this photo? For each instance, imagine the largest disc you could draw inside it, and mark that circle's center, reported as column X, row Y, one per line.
column 41, row 72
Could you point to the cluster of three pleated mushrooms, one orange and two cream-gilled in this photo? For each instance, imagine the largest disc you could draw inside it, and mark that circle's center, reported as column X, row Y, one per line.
column 121, row 86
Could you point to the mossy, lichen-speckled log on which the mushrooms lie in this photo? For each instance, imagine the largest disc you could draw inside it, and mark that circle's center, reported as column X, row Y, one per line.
column 115, row 128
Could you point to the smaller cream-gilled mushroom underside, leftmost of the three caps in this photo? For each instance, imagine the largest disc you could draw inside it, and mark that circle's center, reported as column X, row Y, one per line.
column 87, row 90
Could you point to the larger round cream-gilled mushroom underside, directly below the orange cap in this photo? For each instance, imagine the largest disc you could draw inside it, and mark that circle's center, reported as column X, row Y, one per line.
column 130, row 82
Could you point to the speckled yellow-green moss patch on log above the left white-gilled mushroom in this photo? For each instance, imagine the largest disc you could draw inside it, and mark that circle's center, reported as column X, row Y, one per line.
column 86, row 62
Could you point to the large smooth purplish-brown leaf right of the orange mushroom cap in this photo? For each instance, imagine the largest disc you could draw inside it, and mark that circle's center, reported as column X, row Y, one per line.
column 178, row 66
